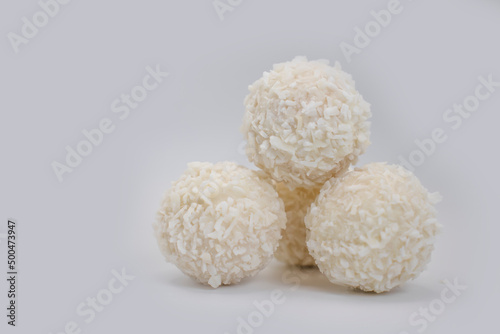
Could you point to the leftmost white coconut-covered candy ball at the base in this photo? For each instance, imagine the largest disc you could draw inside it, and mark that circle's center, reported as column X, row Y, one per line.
column 220, row 223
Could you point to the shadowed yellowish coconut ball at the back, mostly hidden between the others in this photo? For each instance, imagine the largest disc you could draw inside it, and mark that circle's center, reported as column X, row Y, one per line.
column 292, row 247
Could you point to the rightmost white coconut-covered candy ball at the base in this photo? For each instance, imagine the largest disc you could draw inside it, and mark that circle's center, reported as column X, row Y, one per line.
column 373, row 228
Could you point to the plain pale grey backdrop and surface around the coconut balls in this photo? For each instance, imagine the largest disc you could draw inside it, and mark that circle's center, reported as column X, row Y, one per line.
column 73, row 234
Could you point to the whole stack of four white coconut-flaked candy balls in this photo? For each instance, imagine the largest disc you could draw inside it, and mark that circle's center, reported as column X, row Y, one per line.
column 370, row 228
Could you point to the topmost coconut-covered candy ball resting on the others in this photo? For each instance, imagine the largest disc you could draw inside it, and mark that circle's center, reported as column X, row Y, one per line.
column 305, row 122
